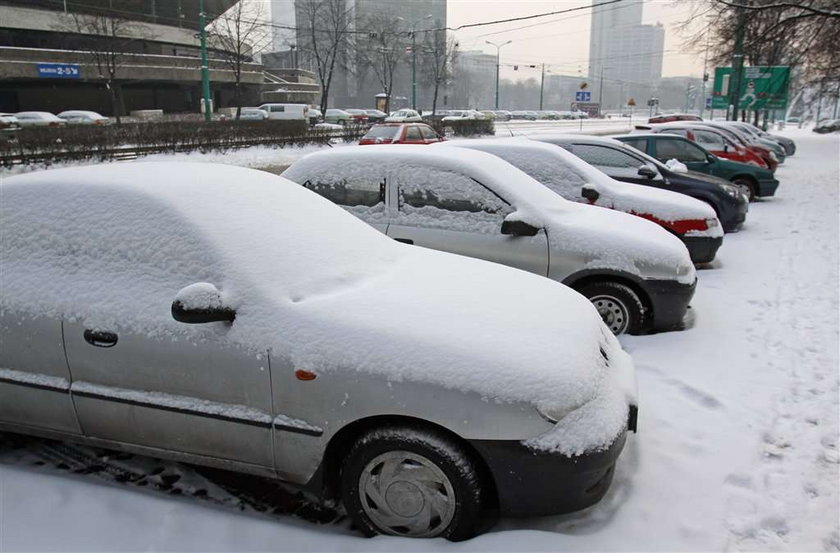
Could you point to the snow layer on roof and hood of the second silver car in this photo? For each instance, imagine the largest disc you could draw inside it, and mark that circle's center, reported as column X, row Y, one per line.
column 608, row 239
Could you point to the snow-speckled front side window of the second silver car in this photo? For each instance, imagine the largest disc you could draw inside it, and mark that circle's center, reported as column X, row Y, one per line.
column 439, row 198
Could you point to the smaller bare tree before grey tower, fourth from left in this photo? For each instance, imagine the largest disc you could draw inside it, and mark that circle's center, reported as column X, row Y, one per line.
column 383, row 49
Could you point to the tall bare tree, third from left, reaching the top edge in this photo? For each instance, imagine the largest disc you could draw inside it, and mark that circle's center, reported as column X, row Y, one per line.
column 325, row 29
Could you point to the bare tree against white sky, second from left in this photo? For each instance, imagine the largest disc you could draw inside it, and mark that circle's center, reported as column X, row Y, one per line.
column 237, row 35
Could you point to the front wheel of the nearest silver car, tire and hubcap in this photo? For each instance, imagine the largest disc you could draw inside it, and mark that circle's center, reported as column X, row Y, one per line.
column 412, row 482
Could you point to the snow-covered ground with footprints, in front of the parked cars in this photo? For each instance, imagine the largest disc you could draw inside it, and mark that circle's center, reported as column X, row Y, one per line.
column 738, row 434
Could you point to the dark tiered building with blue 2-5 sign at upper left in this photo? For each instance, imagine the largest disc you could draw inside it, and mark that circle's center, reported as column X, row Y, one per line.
column 46, row 64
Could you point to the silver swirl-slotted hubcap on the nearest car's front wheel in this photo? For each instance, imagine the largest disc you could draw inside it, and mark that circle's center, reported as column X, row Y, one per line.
column 405, row 494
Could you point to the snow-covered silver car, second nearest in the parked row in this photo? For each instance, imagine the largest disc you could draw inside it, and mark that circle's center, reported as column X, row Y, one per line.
column 472, row 203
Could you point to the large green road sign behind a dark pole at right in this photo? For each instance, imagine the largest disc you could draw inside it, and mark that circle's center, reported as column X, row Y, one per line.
column 761, row 88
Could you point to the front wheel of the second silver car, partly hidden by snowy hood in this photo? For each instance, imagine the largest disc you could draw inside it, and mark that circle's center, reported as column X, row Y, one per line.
column 619, row 306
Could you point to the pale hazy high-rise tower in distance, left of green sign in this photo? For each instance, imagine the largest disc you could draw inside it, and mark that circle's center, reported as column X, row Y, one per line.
column 627, row 54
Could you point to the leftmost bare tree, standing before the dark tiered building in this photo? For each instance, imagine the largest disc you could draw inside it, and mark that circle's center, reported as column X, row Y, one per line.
column 106, row 39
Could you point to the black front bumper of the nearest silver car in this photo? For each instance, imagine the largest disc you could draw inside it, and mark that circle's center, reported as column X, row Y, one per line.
column 533, row 483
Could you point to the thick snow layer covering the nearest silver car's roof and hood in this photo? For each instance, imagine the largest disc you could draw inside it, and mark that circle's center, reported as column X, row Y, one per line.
column 112, row 245
